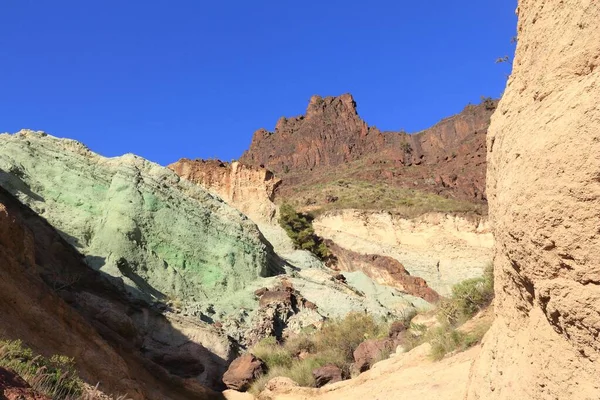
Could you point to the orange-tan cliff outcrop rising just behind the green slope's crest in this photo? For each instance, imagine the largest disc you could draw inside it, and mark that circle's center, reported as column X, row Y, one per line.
column 247, row 188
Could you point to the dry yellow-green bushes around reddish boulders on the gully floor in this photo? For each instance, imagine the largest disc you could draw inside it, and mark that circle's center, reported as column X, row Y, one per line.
column 335, row 343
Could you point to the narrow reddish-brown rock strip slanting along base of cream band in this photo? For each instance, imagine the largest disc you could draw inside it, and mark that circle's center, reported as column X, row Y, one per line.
column 383, row 270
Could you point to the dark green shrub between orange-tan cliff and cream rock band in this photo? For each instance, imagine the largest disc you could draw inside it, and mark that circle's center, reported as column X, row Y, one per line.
column 299, row 228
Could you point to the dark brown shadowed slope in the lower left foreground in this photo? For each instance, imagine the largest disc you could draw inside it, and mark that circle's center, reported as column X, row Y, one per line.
column 56, row 304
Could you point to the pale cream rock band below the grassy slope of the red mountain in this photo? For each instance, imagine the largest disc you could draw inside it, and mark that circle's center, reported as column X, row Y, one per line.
column 442, row 249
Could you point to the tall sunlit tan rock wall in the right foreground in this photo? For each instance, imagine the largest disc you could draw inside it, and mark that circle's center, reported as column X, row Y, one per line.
column 544, row 194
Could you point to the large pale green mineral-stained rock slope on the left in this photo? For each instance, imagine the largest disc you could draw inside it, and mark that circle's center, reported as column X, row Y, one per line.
column 136, row 220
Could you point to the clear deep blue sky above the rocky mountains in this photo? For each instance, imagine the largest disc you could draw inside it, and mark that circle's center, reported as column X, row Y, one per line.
column 194, row 78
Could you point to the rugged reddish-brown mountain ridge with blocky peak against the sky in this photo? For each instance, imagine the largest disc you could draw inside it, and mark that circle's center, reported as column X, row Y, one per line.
column 448, row 158
